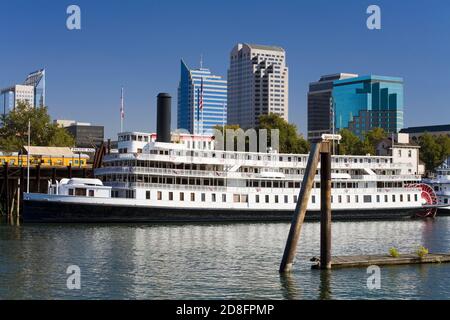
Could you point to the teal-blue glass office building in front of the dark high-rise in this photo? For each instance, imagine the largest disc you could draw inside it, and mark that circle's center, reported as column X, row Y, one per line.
column 363, row 103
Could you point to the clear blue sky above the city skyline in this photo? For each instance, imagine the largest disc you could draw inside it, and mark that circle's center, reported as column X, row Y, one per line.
column 138, row 44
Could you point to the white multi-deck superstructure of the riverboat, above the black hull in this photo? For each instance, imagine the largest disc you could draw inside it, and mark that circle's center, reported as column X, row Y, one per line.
column 190, row 174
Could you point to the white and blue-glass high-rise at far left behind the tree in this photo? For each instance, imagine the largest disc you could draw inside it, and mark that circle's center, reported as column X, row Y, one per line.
column 32, row 92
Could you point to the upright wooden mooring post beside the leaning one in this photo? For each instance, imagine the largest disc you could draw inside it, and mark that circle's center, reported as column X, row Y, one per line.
column 325, row 205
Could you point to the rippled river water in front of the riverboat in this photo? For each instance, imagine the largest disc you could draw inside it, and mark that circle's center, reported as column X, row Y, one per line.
column 214, row 261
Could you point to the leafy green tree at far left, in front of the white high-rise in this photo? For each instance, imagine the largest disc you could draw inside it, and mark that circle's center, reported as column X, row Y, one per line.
column 14, row 130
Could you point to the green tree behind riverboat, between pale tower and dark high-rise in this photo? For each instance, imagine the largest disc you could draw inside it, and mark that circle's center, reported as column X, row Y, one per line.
column 290, row 140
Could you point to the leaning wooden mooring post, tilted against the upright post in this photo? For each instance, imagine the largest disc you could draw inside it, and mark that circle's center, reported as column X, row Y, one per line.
column 300, row 209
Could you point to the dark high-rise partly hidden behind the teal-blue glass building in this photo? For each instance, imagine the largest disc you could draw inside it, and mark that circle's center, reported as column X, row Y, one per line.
column 319, row 104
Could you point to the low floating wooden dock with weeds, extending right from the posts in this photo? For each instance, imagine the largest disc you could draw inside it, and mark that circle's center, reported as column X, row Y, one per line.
column 384, row 260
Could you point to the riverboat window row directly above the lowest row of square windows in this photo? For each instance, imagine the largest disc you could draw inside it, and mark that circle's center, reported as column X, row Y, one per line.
column 248, row 183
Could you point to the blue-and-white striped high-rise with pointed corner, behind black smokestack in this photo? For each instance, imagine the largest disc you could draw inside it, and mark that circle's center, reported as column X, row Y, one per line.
column 202, row 100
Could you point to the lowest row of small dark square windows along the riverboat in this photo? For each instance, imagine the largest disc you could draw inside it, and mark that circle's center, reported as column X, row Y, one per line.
column 244, row 198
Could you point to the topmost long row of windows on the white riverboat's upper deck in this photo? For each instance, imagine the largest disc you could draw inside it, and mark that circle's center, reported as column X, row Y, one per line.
column 268, row 157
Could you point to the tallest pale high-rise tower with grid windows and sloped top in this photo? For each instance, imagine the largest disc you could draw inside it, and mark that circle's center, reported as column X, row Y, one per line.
column 257, row 84
